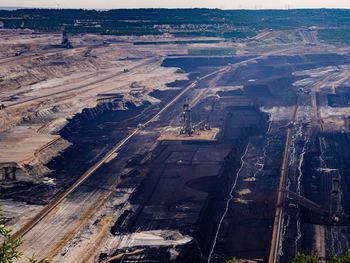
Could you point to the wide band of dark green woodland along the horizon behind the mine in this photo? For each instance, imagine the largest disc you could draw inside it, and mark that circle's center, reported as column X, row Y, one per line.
column 230, row 24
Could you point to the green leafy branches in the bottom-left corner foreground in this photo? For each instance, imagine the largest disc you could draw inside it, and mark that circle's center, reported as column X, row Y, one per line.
column 9, row 246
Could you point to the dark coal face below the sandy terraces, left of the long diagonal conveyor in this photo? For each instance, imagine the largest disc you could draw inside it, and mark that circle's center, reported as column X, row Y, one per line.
column 86, row 137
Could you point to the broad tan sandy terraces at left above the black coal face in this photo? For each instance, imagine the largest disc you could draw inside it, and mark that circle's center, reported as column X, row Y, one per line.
column 47, row 85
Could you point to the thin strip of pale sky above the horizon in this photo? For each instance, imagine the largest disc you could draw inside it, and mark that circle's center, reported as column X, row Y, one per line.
column 222, row 4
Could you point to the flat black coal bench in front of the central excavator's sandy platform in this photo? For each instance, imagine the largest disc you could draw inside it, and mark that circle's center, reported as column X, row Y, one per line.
column 200, row 221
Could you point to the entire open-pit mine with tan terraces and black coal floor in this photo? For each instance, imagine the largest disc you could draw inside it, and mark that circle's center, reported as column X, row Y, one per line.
column 168, row 148
